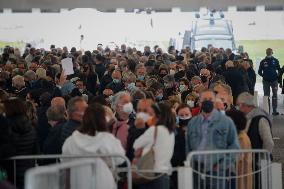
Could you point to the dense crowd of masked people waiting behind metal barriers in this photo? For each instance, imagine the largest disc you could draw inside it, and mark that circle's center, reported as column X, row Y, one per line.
column 128, row 102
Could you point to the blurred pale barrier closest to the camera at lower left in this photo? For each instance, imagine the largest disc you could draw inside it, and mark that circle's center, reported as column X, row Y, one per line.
column 58, row 176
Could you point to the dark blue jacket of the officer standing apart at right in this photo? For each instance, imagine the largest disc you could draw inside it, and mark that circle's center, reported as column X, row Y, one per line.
column 268, row 69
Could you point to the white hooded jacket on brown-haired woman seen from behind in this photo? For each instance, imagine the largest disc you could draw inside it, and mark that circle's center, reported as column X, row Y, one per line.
column 102, row 143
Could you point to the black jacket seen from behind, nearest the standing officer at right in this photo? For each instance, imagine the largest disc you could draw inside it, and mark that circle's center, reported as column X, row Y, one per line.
column 235, row 80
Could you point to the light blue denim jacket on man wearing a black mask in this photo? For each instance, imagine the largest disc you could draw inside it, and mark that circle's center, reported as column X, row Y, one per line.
column 221, row 135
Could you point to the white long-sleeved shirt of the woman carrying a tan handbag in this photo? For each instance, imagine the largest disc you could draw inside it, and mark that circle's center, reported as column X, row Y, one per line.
column 163, row 149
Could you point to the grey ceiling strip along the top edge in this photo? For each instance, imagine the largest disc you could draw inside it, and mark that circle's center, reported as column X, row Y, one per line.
column 130, row 5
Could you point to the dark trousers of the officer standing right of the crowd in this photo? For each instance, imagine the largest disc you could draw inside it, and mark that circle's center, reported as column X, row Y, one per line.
column 266, row 90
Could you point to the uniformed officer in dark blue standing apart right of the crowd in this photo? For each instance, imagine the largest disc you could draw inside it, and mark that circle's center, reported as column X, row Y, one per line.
column 269, row 70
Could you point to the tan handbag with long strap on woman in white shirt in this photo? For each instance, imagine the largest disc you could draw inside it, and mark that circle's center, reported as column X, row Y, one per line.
column 145, row 162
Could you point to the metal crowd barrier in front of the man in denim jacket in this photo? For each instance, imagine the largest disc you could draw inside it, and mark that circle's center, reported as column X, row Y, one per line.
column 227, row 169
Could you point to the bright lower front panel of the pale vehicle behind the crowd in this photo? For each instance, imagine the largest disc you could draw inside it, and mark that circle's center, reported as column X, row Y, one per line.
column 218, row 43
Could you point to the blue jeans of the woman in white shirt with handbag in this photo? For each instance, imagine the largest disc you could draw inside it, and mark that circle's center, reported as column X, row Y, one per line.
column 162, row 182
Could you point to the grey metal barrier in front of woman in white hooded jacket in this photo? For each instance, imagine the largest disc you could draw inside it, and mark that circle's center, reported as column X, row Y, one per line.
column 41, row 159
